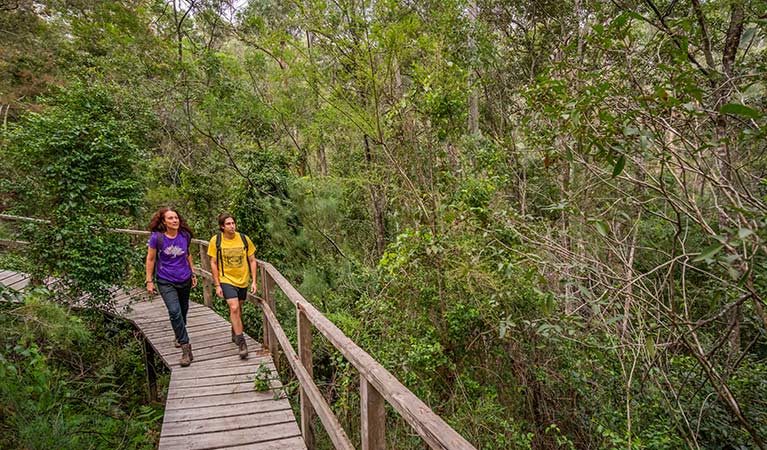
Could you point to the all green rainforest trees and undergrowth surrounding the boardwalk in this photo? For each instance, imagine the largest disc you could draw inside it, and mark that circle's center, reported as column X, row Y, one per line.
column 547, row 218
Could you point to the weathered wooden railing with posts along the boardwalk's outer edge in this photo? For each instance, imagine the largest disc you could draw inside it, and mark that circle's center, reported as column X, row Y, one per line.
column 377, row 383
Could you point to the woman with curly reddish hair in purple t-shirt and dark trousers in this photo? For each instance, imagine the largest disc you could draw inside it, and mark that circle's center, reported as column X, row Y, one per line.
column 169, row 271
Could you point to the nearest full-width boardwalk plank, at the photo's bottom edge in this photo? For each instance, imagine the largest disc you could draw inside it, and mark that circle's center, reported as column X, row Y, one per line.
column 223, row 439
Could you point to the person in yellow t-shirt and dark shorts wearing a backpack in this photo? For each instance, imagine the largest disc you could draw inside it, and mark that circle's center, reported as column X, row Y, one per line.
column 228, row 251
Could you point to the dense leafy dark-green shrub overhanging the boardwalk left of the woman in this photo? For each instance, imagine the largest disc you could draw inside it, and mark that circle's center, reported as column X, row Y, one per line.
column 77, row 163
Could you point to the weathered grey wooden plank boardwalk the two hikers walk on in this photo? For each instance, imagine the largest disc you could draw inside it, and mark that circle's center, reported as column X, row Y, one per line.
column 212, row 404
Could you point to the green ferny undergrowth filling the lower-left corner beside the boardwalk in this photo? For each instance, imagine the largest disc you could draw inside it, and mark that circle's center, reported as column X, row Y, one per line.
column 71, row 381
